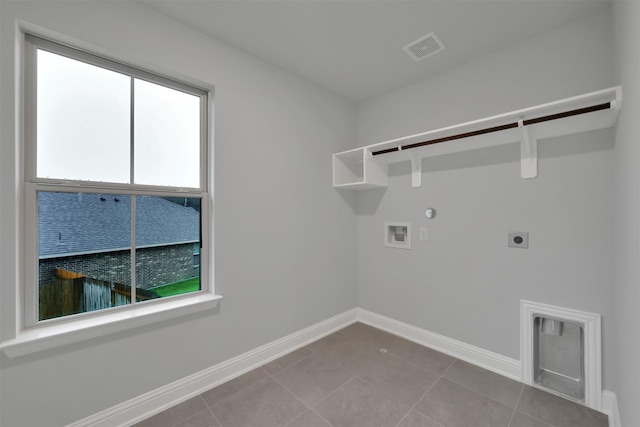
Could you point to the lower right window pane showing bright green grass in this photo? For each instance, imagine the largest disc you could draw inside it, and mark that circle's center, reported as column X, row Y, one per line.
column 166, row 231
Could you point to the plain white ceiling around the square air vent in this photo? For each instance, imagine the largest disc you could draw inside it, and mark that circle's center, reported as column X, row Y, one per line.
column 354, row 48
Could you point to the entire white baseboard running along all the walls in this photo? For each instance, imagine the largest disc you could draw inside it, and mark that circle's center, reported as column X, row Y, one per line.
column 148, row 404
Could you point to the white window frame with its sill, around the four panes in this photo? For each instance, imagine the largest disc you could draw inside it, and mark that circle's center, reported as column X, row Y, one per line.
column 33, row 335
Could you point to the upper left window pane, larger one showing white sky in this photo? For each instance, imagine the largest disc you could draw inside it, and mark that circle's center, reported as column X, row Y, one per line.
column 83, row 124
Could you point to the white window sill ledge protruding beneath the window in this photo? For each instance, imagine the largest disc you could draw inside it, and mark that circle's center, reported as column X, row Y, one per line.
column 41, row 338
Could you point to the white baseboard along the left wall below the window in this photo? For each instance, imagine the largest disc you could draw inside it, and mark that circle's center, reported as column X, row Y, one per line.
column 148, row 404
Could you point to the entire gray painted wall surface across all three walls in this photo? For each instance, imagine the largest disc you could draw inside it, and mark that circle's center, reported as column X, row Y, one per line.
column 284, row 239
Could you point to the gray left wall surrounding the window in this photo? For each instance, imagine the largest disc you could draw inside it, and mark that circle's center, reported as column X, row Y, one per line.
column 284, row 239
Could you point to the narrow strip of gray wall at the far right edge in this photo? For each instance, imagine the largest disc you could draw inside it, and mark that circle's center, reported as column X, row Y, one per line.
column 626, row 15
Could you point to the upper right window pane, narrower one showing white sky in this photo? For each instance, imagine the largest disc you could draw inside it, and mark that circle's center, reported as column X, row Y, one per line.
column 167, row 136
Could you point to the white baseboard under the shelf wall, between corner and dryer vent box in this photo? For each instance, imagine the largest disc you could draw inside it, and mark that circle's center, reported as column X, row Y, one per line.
column 478, row 356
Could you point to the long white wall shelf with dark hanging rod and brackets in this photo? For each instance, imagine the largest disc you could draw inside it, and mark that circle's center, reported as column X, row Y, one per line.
column 366, row 167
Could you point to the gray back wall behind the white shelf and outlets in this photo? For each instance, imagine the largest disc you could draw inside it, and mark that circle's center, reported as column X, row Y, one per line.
column 464, row 282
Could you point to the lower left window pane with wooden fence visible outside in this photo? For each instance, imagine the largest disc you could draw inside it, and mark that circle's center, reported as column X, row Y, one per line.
column 84, row 252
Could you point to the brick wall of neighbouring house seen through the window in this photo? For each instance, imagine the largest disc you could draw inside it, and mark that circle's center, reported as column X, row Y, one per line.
column 154, row 266
